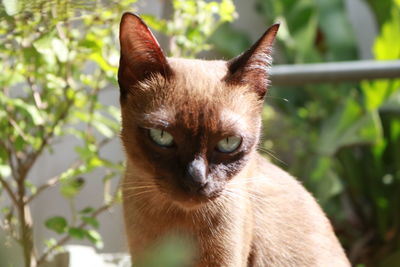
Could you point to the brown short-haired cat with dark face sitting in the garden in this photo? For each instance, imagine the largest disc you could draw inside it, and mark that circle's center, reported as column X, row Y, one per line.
column 190, row 129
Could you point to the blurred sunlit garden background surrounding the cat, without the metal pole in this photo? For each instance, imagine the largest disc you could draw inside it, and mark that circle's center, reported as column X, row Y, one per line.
column 61, row 159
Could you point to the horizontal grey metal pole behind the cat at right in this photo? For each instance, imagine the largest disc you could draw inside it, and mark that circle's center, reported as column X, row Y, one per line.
column 336, row 72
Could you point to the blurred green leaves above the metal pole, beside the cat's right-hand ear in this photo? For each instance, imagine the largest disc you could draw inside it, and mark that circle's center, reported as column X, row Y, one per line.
column 307, row 34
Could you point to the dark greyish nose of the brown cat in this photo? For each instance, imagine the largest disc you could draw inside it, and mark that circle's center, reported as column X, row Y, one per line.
column 196, row 175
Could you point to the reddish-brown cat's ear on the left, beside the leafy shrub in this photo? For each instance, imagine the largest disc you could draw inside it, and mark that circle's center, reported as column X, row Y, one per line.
column 141, row 55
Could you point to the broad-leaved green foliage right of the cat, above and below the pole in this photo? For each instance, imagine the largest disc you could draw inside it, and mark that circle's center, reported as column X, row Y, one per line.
column 341, row 140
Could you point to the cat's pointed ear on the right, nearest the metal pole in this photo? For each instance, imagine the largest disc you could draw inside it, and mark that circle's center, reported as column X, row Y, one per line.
column 252, row 67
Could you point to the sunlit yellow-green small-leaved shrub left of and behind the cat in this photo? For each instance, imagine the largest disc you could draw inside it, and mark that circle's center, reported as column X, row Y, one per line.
column 56, row 59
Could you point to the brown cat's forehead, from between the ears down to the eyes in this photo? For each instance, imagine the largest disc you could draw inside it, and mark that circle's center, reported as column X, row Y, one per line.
column 197, row 96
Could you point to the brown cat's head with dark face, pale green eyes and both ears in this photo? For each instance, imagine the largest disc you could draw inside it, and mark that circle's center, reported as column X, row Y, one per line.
column 189, row 126
